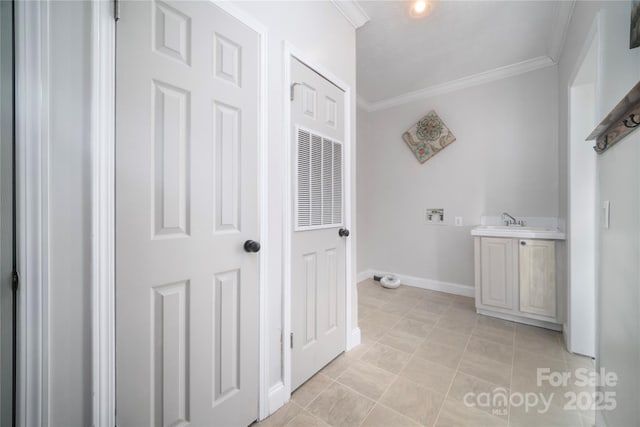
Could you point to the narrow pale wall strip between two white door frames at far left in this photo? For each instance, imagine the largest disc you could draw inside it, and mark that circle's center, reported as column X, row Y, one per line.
column 69, row 216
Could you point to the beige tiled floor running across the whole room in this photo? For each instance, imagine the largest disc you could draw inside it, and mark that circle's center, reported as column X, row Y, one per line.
column 422, row 354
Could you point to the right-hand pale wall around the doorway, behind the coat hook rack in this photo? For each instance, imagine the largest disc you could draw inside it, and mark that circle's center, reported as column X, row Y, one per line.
column 618, row 247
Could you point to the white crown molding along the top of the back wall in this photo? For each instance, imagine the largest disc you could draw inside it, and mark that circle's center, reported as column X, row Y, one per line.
column 463, row 83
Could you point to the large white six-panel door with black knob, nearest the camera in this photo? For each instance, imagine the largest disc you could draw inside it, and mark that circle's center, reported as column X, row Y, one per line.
column 187, row 293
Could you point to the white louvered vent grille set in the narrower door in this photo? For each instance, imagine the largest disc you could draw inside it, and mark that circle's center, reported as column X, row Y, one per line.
column 319, row 181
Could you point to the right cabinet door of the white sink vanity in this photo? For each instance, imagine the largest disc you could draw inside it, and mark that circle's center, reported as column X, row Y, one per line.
column 537, row 277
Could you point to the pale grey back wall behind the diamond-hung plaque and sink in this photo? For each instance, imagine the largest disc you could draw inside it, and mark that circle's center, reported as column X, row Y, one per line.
column 504, row 159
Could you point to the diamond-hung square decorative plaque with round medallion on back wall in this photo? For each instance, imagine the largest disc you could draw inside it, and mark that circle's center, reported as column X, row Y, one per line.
column 428, row 137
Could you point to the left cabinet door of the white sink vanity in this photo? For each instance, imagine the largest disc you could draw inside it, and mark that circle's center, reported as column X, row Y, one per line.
column 499, row 274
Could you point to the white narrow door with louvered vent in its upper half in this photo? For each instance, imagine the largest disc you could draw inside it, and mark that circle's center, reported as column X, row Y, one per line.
column 318, row 241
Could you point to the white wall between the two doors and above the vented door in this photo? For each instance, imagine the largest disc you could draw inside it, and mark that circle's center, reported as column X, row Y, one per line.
column 297, row 23
